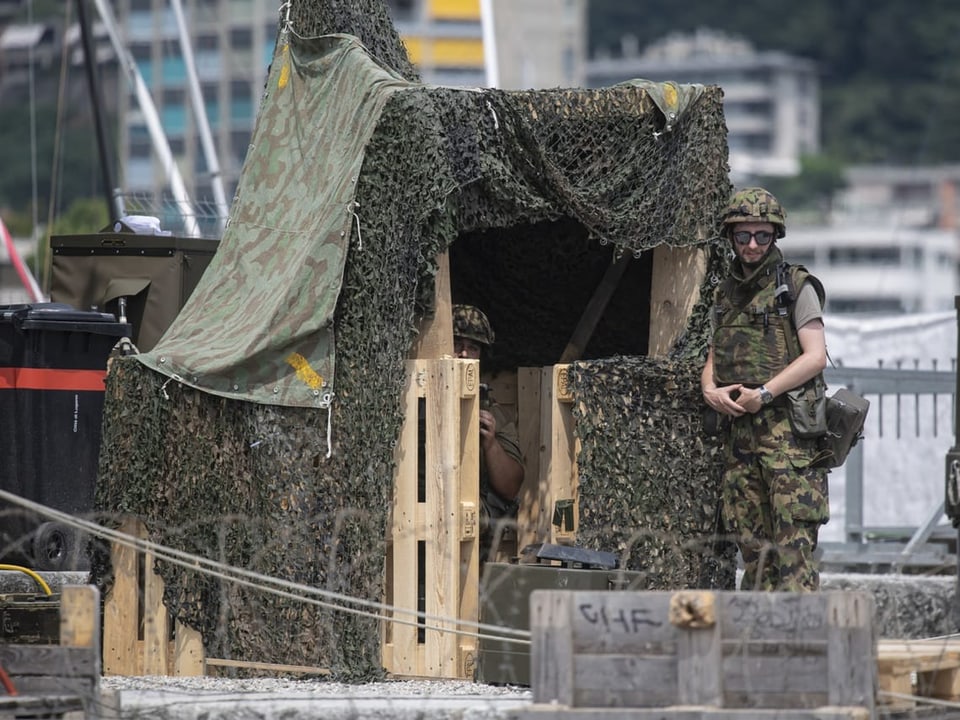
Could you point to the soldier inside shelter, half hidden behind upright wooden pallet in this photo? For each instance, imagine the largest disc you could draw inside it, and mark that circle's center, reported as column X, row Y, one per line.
column 501, row 462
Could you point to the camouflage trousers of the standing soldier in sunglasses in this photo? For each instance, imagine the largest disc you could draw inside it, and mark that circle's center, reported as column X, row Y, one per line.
column 774, row 502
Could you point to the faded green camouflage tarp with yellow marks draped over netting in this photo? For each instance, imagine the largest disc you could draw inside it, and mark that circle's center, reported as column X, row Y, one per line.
column 259, row 326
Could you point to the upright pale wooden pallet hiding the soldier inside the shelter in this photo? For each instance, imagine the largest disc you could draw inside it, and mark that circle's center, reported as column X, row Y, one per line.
column 432, row 552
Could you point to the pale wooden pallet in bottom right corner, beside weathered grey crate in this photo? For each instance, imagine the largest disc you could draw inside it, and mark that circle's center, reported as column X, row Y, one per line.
column 918, row 668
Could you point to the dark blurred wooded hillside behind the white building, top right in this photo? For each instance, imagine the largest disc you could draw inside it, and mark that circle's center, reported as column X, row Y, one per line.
column 888, row 69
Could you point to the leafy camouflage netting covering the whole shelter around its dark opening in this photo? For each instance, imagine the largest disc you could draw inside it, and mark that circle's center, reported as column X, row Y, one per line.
column 534, row 192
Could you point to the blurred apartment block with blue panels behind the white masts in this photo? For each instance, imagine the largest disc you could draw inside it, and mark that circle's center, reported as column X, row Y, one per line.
column 232, row 42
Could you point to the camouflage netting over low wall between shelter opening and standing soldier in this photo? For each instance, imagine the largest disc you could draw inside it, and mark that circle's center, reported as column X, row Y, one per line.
column 648, row 477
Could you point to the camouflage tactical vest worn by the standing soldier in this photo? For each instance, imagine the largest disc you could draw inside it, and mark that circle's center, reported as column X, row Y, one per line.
column 750, row 343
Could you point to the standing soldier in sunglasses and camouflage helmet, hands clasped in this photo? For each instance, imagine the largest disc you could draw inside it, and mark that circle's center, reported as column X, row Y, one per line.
column 764, row 373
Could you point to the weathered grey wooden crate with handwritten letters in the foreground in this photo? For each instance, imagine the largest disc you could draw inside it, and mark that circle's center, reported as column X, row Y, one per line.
column 702, row 654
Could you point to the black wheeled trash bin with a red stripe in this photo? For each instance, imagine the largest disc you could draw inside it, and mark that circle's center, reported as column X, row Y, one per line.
column 53, row 362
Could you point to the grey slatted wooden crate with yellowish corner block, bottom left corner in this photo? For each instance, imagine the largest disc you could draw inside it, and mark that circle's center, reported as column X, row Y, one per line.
column 55, row 679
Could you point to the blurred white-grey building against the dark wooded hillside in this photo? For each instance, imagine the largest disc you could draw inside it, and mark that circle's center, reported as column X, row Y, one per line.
column 771, row 99
